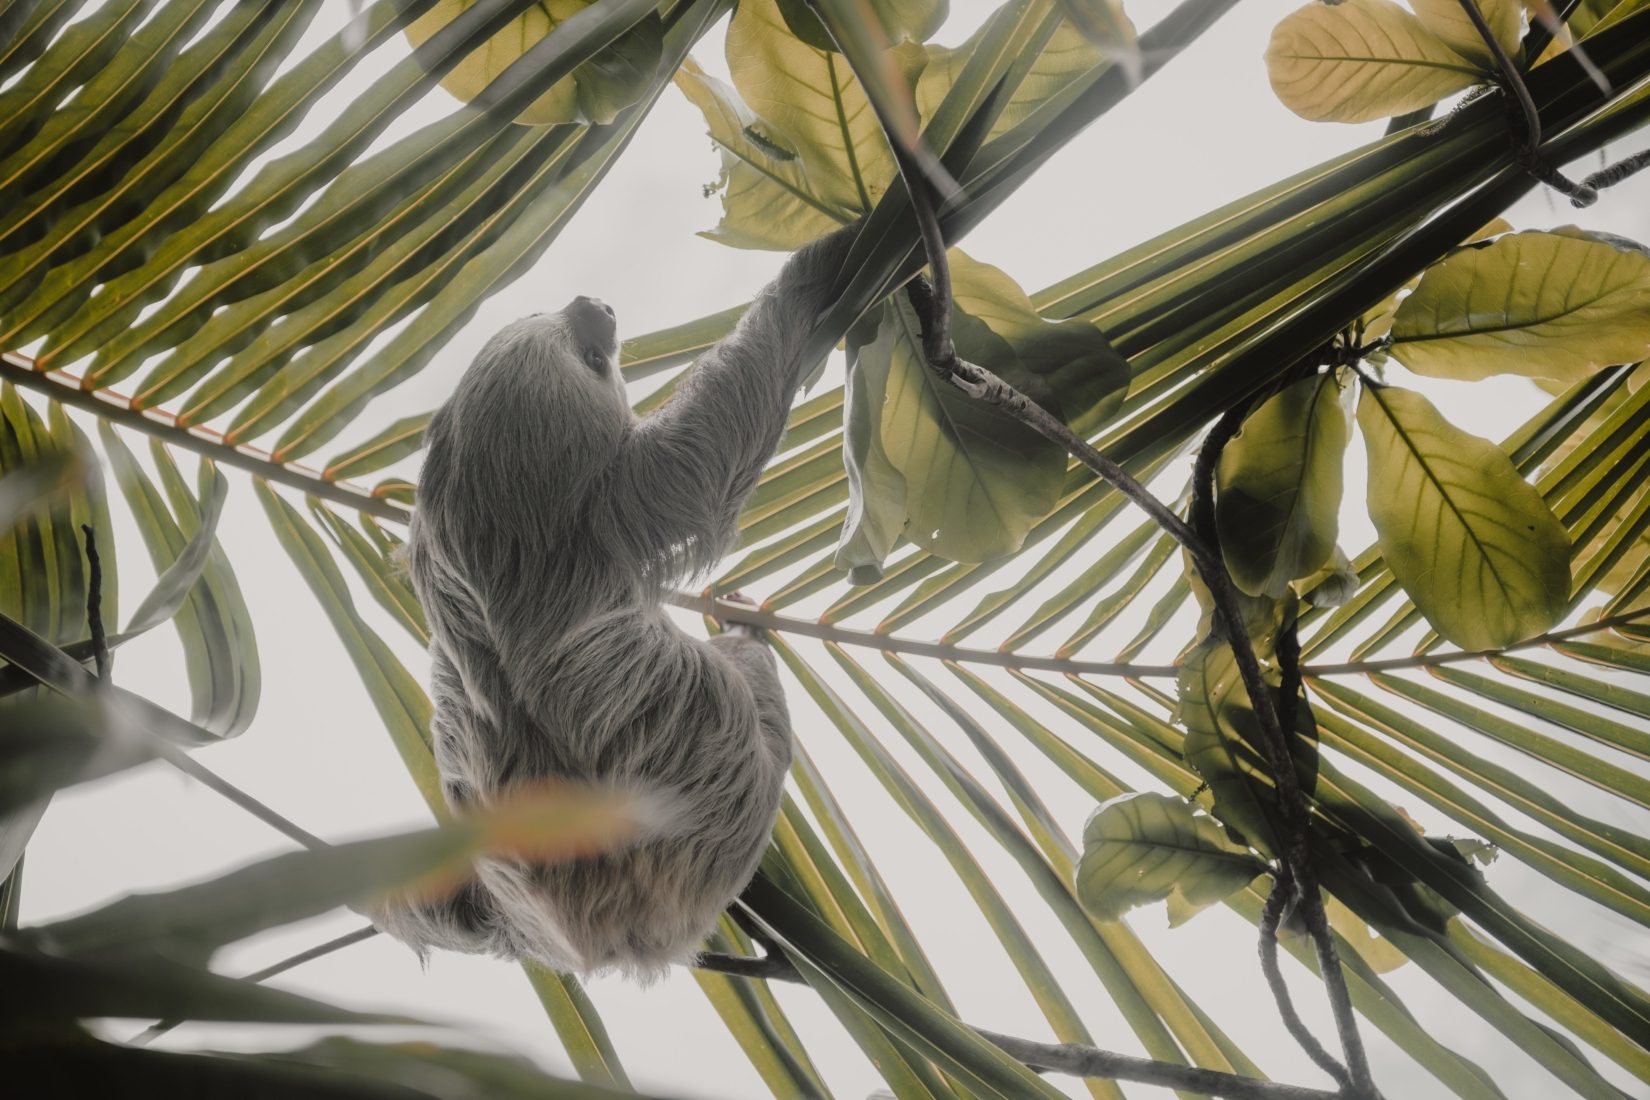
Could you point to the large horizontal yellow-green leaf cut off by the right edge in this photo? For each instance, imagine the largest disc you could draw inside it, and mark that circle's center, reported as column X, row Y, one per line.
column 1553, row 306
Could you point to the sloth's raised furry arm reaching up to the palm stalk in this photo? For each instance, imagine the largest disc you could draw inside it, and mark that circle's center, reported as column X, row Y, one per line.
column 687, row 469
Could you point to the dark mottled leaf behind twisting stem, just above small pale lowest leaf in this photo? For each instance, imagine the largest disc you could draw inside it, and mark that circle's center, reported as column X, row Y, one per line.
column 1223, row 743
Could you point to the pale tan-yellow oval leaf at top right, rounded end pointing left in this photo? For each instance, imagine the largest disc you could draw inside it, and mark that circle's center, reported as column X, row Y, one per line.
column 1362, row 60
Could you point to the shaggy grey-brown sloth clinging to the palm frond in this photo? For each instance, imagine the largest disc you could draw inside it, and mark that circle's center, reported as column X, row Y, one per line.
column 550, row 525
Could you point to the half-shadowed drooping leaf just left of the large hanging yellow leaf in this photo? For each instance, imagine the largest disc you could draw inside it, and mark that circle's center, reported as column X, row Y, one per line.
column 1281, row 486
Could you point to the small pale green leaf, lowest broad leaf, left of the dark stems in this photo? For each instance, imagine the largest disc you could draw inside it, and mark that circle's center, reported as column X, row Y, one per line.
column 1148, row 849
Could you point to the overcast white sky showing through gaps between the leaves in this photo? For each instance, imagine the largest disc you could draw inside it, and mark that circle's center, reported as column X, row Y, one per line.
column 1197, row 136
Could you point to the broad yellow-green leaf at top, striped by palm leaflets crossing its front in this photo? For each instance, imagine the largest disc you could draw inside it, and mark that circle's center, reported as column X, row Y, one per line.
column 593, row 93
